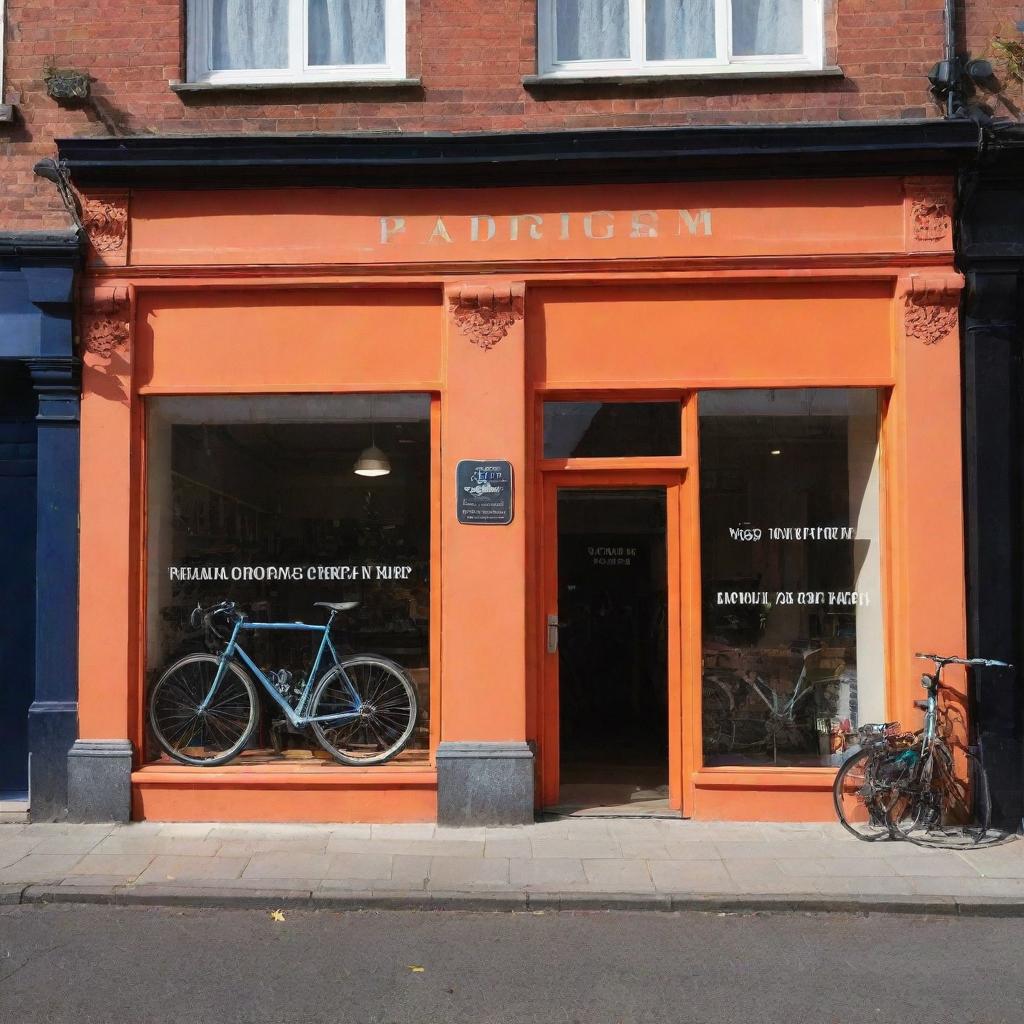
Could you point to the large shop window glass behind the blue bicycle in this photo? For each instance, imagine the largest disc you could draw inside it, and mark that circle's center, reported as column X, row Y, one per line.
column 265, row 502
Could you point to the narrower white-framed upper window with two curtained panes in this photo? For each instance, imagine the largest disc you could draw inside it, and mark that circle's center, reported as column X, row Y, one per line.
column 267, row 41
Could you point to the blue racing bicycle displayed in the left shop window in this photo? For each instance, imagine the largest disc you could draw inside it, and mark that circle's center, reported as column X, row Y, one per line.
column 204, row 708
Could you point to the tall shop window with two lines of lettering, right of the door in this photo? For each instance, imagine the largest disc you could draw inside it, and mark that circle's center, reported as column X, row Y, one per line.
column 791, row 567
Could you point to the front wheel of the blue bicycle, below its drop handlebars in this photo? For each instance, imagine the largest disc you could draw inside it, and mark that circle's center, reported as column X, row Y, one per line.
column 195, row 736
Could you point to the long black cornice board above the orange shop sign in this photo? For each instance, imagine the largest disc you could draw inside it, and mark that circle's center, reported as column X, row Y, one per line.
column 600, row 156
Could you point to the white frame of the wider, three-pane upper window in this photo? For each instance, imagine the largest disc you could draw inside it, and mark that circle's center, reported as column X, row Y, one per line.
column 637, row 64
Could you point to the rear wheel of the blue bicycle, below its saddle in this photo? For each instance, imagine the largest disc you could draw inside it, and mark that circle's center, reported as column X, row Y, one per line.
column 380, row 699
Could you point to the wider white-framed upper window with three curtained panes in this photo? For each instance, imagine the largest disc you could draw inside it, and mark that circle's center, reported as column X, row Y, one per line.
column 652, row 37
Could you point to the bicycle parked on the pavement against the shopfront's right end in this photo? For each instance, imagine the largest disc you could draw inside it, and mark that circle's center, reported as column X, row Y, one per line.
column 917, row 786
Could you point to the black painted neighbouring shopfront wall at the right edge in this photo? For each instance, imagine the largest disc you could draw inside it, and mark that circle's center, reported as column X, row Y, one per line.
column 991, row 248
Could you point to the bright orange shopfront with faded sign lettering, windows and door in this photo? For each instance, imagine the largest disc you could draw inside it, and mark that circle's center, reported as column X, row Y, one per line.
column 717, row 416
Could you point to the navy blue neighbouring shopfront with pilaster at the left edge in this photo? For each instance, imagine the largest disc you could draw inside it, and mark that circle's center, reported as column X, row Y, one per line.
column 39, row 442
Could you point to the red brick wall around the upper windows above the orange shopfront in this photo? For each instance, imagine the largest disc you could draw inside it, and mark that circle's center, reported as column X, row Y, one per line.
column 472, row 56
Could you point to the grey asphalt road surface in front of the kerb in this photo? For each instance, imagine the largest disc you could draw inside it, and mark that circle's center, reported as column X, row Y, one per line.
column 148, row 966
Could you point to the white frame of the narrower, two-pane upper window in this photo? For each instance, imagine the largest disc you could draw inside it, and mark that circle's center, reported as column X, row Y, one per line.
column 200, row 54
